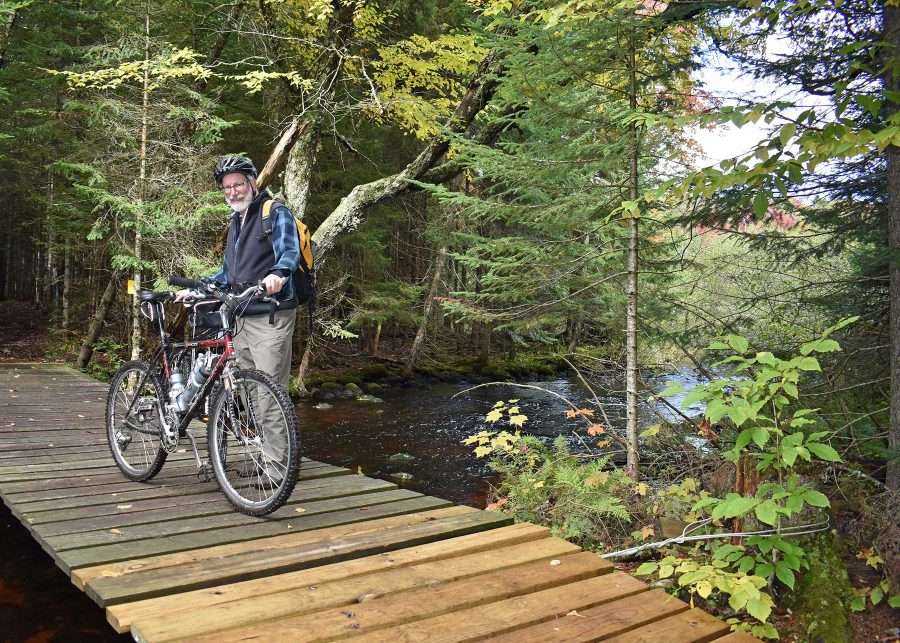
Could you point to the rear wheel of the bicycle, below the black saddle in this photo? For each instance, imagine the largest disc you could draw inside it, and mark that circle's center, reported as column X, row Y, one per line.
column 135, row 438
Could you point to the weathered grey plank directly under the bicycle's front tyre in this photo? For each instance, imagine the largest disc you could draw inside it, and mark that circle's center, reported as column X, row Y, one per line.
column 231, row 519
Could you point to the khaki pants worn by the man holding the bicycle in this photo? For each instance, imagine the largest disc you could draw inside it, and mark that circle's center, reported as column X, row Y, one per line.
column 268, row 348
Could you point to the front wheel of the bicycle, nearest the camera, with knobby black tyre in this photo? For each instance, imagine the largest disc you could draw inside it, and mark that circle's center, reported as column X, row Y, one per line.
column 254, row 446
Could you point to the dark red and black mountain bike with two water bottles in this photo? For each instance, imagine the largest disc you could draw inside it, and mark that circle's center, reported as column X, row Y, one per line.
column 253, row 443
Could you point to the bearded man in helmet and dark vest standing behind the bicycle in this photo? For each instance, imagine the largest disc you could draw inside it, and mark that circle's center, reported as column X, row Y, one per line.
column 251, row 255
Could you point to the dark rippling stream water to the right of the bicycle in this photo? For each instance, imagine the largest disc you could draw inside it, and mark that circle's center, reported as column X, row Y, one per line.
column 429, row 423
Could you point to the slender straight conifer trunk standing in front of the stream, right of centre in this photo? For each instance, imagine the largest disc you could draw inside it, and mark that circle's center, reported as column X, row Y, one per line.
column 631, row 368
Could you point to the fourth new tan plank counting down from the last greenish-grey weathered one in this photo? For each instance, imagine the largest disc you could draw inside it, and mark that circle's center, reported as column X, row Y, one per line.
column 486, row 621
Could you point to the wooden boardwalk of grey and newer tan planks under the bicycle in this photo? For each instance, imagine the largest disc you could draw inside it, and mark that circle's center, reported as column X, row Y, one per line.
column 347, row 557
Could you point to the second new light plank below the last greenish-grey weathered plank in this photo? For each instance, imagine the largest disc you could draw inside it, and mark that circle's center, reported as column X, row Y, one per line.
column 345, row 592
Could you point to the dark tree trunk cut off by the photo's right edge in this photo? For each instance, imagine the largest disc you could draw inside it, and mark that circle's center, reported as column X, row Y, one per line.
column 892, row 86
